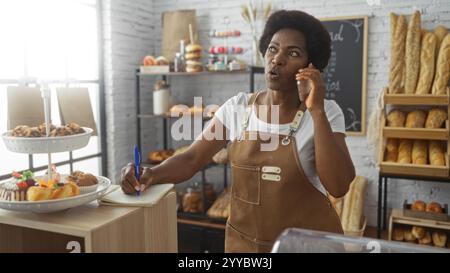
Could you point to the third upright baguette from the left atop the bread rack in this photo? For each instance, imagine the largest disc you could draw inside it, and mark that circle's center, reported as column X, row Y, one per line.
column 427, row 62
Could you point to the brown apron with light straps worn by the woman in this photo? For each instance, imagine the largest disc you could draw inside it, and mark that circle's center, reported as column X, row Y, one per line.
column 270, row 192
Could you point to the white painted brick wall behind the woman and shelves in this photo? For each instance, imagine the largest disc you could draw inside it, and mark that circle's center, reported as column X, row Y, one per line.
column 133, row 29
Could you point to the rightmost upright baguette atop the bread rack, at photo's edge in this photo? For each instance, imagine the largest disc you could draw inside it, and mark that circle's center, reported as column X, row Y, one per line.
column 442, row 68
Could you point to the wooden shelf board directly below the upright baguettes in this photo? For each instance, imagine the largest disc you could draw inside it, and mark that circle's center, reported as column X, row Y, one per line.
column 414, row 99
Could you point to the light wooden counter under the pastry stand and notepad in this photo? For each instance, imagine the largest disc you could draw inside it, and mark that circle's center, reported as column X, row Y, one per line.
column 92, row 228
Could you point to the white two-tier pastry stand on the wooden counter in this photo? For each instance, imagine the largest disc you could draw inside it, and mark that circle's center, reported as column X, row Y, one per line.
column 51, row 144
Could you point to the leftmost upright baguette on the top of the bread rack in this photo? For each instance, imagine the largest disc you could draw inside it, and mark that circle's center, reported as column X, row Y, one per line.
column 397, row 68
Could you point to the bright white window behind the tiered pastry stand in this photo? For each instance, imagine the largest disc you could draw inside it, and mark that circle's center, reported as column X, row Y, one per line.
column 55, row 40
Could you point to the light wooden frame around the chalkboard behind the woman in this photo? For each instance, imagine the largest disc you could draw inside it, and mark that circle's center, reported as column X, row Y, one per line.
column 362, row 116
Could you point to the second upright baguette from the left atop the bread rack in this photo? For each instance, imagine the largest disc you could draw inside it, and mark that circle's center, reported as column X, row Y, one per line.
column 412, row 53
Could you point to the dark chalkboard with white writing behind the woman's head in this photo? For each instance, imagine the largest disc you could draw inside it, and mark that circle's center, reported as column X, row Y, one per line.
column 345, row 75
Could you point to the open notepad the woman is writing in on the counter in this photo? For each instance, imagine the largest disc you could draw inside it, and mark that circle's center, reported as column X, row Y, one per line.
column 146, row 199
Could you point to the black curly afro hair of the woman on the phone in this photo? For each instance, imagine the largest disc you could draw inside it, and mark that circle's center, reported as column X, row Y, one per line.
column 318, row 42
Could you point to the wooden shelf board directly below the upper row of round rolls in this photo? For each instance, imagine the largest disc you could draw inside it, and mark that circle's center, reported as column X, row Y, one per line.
column 417, row 133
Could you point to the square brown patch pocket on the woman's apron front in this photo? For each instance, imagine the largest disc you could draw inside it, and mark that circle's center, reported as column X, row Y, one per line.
column 246, row 183
